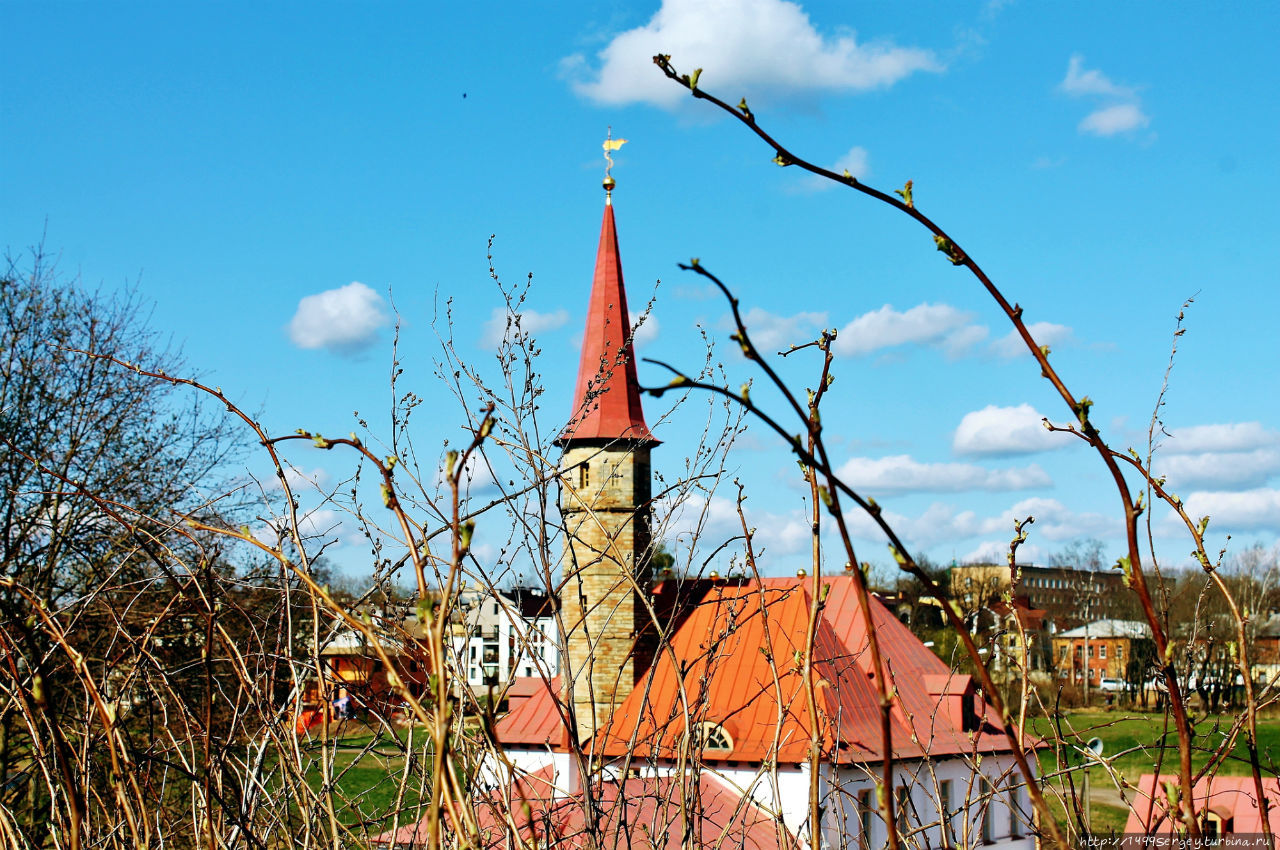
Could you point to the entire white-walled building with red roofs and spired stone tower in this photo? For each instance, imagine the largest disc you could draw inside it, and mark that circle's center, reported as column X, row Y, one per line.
column 703, row 738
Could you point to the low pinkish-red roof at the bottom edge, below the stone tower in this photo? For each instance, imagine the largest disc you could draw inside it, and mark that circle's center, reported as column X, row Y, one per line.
column 650, row 814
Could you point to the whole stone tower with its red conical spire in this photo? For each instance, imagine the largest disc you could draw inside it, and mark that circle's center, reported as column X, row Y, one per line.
column 605, row 504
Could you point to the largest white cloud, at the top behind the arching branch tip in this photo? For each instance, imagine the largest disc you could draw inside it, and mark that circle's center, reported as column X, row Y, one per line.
column 767, row 47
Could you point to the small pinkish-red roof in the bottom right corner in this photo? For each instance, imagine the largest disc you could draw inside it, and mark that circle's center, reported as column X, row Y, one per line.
column 1229, row 797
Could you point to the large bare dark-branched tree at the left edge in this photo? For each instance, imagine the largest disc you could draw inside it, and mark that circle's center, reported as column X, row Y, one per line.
column 98, row 469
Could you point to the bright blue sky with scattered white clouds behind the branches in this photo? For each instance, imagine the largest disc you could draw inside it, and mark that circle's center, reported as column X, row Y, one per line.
column 275, row 179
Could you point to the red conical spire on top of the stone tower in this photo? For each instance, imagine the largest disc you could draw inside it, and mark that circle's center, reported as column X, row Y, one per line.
column 607, row 400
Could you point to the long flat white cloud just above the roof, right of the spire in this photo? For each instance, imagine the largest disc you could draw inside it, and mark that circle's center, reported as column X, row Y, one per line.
column 902, row 474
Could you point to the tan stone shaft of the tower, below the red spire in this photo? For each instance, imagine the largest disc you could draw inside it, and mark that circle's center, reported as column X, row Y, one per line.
column 606, row 510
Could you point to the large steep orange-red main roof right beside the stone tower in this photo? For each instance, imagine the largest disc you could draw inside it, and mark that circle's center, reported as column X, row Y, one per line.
column 717, row 666
